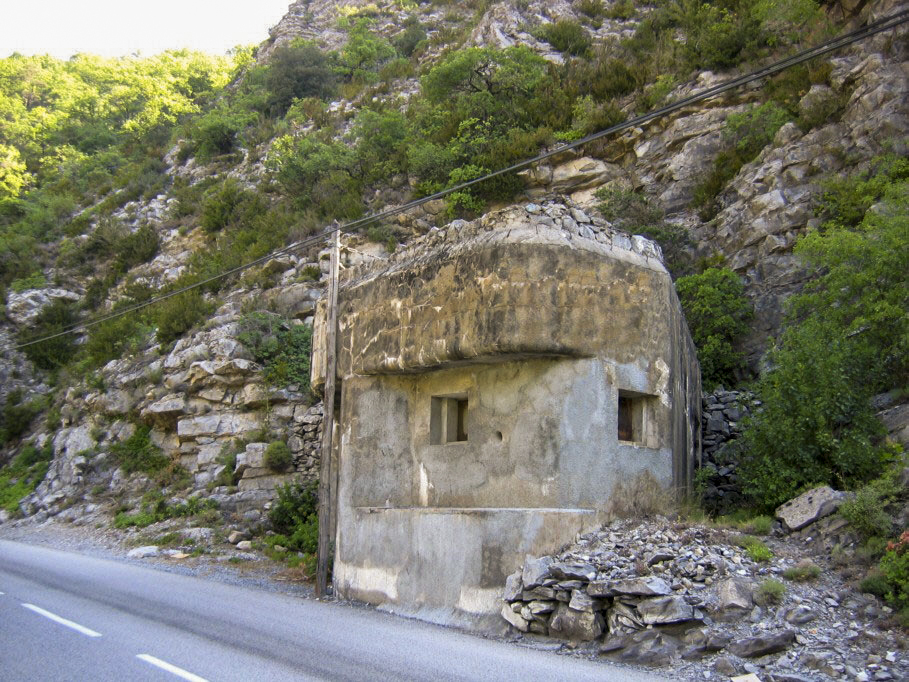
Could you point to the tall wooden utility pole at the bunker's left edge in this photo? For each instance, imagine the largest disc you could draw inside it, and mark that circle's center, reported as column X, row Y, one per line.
column 326, row 489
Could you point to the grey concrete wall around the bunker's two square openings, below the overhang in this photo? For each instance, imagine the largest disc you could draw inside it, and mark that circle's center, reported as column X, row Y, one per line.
column 542, row 433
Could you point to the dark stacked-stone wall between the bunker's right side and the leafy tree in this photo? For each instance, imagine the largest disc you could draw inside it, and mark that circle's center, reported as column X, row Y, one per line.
column 721, row 425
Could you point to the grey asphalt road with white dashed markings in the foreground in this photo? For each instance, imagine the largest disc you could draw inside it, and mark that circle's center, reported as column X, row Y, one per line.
column 66, row 616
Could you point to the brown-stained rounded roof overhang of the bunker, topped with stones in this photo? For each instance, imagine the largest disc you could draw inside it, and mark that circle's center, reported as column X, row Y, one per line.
column 511, row 285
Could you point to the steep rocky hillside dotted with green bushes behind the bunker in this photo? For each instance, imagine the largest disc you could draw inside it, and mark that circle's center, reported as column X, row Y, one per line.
column 352, row 108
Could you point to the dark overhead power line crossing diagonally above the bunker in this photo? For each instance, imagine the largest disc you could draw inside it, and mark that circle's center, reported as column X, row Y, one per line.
column 844, row 40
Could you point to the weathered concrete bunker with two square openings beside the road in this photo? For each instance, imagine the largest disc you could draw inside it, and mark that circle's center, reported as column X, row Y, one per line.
column 498, row 379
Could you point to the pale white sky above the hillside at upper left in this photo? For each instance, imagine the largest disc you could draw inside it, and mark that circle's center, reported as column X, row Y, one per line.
column 121, row 27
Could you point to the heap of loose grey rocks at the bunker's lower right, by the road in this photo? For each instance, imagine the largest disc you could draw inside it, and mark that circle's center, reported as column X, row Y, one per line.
column 658, row 593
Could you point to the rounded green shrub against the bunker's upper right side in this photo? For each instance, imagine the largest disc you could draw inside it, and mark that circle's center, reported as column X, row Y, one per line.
column 718, row 313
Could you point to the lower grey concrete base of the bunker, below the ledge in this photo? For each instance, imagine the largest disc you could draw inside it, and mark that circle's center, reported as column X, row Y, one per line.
column 445, row 565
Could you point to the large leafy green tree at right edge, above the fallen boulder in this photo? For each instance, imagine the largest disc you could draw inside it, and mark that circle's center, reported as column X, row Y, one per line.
column 848, row 338
